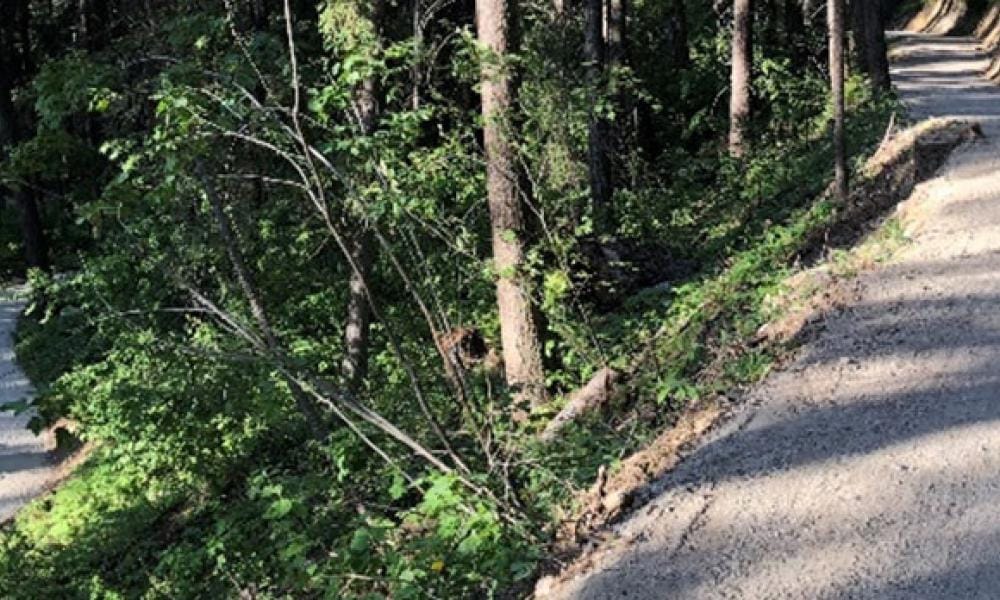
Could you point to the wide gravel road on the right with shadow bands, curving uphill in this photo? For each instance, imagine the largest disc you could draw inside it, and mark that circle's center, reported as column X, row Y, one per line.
column 870, row 468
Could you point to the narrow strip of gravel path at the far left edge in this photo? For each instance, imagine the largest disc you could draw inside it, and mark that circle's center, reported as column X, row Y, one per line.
column 25, row 468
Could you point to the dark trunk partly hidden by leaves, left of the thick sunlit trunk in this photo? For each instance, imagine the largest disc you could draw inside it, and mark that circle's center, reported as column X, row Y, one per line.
column 358, row 326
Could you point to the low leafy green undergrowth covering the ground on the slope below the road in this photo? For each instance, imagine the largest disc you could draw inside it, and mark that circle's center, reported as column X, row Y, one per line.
column 166, row 515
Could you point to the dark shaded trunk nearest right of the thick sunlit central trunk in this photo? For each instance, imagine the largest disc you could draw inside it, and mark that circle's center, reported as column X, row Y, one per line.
column 597, row 145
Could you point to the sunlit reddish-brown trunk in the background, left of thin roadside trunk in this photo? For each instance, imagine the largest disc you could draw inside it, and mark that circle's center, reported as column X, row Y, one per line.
column 742, row 52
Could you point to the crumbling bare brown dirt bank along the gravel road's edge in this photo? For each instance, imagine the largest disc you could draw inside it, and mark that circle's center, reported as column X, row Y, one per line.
column 904, row 160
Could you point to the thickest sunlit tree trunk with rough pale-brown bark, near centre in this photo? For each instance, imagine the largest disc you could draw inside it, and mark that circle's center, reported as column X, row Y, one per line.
column 518, row 330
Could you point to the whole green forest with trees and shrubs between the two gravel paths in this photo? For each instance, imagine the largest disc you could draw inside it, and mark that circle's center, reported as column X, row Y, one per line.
column 366, row 298
